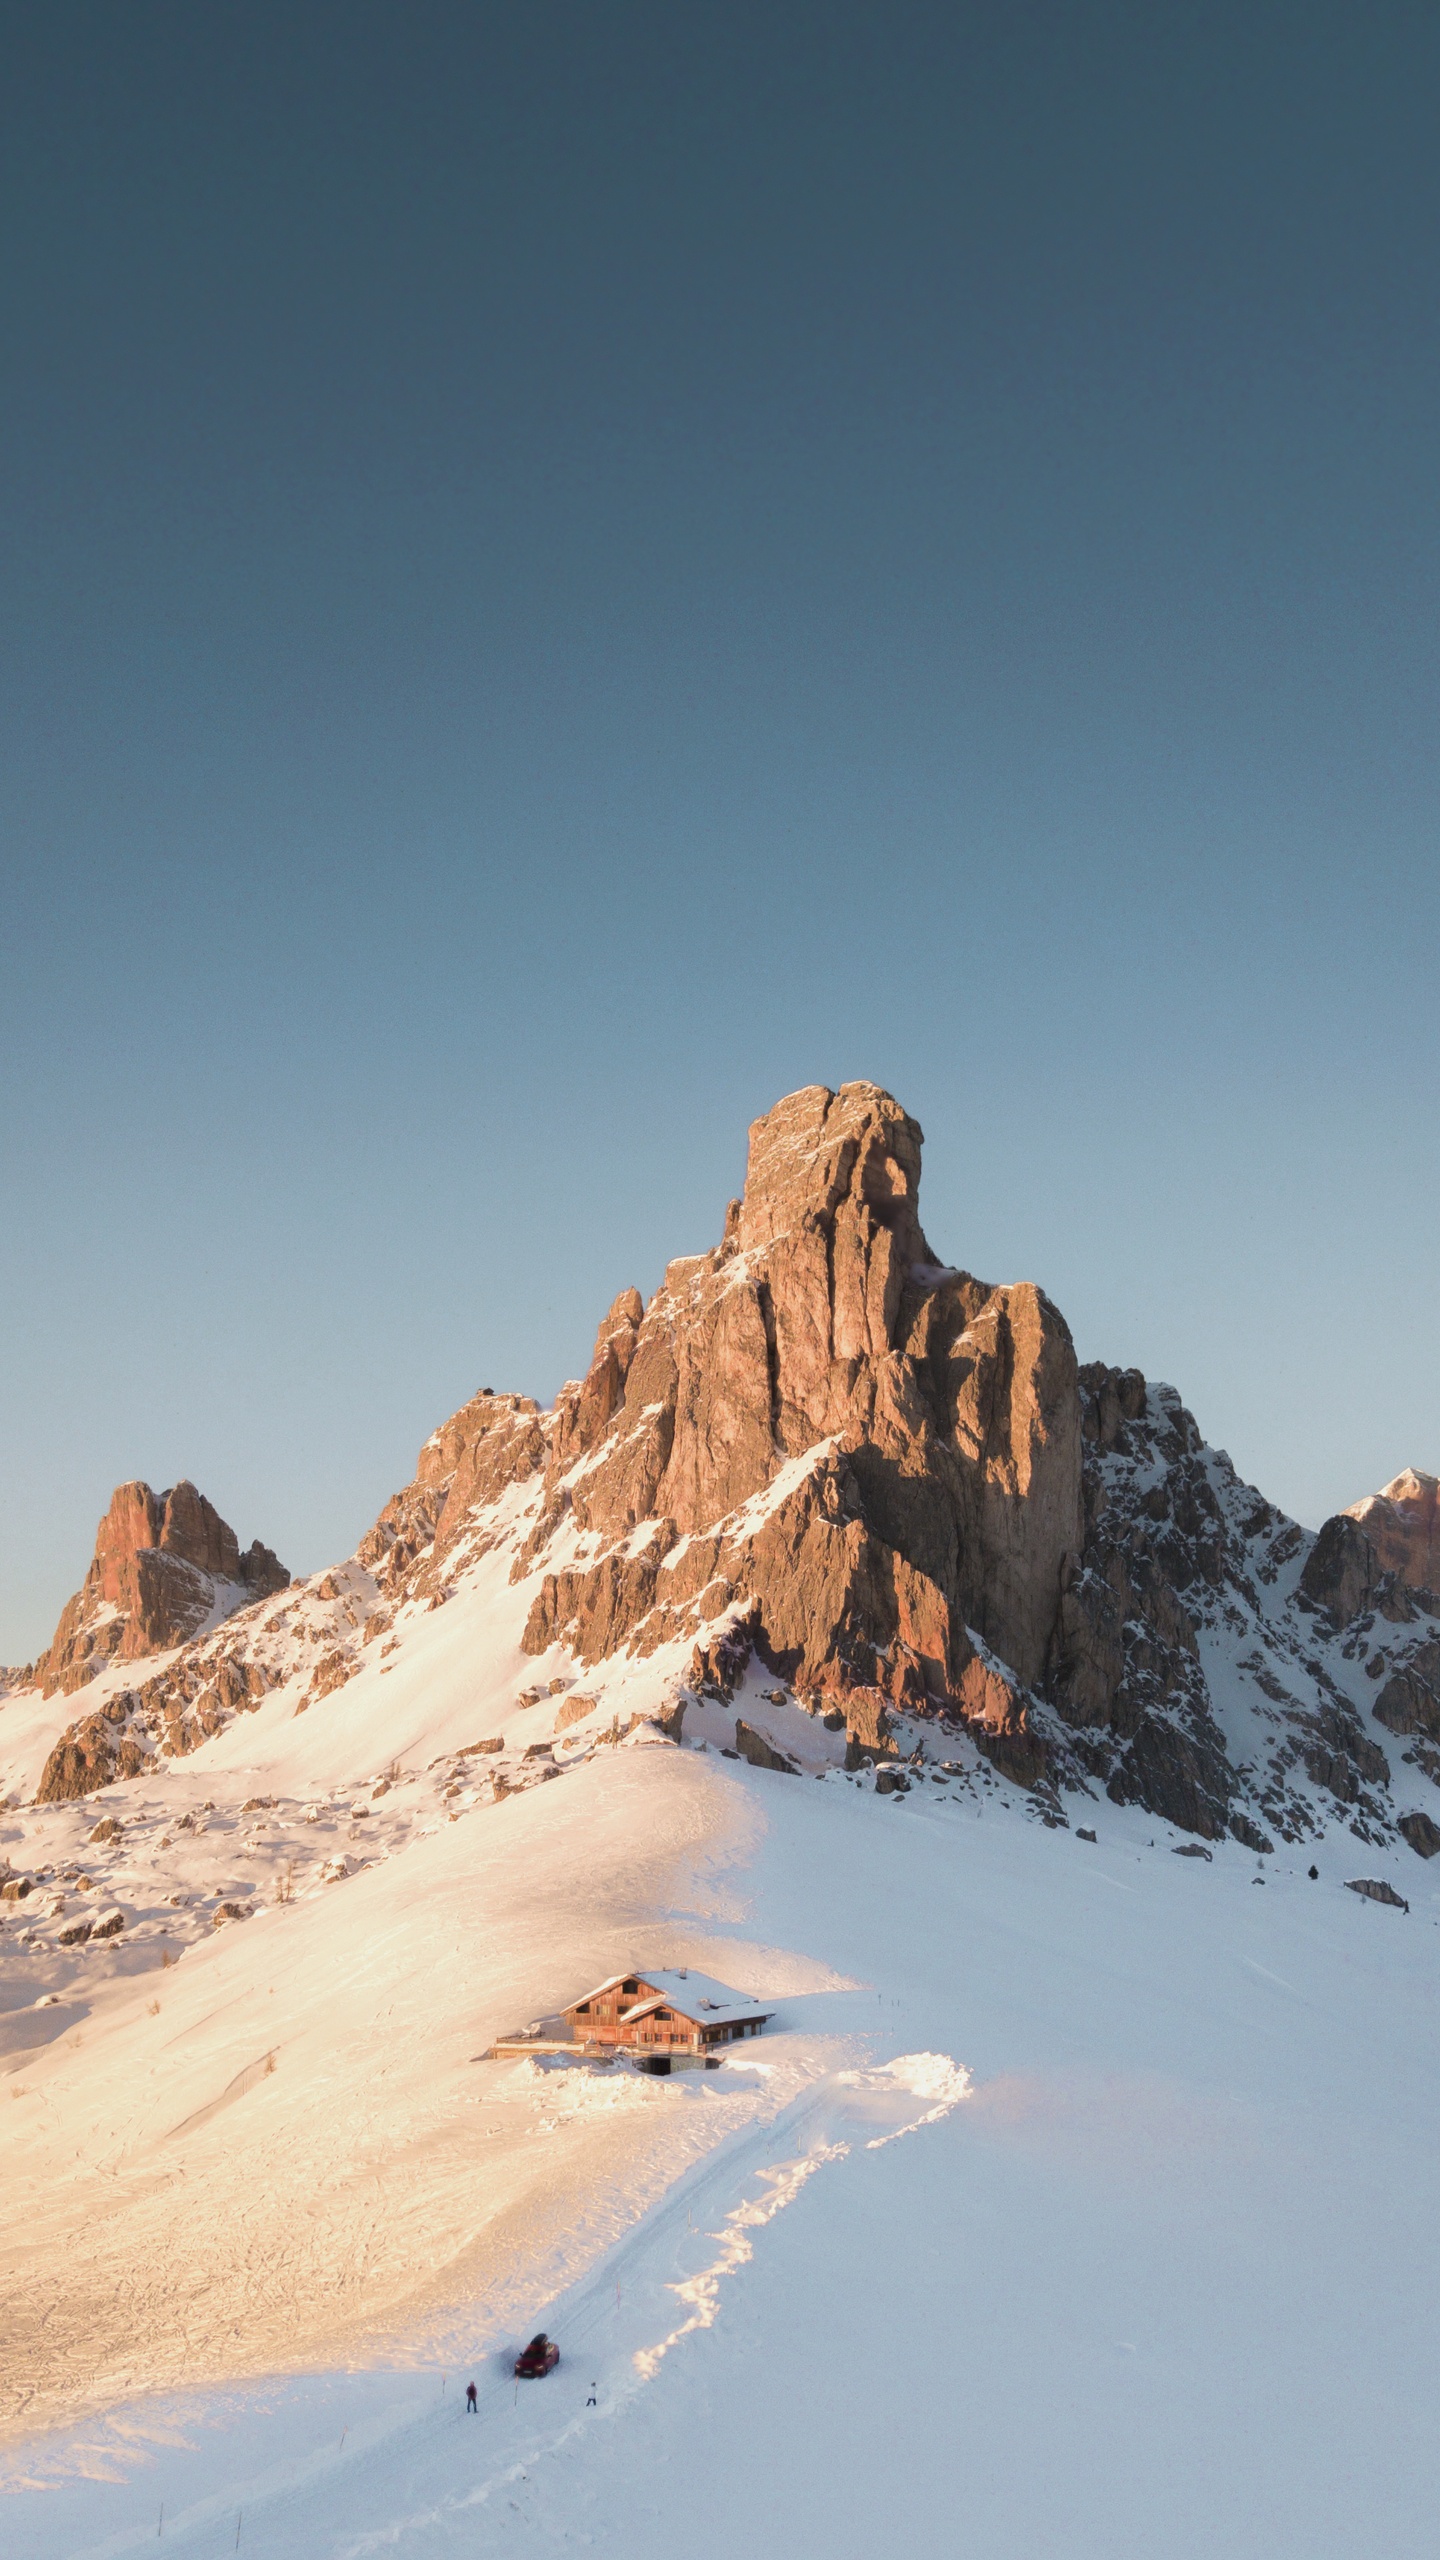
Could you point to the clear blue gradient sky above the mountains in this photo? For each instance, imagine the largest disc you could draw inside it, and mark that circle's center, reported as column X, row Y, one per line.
column 573, row 570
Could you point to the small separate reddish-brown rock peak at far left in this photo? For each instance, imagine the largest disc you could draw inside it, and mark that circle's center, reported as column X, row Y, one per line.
column 165, row 1568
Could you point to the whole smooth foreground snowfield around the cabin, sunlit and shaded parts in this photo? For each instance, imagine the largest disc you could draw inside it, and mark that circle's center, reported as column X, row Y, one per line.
column 1083, row 2200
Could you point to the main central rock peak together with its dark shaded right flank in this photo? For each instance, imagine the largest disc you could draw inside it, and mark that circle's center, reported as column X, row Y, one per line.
column 898, row 1489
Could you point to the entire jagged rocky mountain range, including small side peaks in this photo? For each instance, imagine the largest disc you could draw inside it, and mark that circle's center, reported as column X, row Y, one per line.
column 888, row 1484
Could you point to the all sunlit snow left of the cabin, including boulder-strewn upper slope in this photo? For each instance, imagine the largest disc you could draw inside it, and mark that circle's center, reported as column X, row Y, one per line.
column 250, row 1988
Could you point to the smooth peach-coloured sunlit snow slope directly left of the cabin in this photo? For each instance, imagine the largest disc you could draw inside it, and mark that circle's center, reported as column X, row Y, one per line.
column 291, row 2141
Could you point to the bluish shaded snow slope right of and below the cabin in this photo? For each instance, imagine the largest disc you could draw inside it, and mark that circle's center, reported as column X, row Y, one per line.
column 1152, row 2269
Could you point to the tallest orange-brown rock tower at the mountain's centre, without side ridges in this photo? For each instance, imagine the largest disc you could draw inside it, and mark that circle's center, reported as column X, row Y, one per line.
column 870, row 1455
